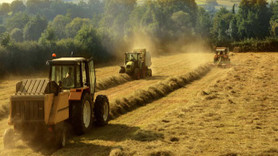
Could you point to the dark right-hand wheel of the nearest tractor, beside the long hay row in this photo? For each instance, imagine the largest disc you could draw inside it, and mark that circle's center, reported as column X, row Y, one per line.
column 101, row 110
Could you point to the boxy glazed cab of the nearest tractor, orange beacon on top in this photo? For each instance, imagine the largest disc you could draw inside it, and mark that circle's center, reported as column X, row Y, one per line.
column 73, row 73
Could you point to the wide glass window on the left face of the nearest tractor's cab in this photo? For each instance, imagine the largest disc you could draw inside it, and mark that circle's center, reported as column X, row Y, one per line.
column 64, row 76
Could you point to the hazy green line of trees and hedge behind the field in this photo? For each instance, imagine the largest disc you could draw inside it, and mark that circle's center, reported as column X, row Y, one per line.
column 31, row 31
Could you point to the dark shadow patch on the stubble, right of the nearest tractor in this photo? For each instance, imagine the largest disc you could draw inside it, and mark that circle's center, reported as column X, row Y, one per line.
column 119, row 132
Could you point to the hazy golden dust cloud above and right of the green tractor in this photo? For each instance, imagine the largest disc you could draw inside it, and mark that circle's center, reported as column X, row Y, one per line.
column 195, row 46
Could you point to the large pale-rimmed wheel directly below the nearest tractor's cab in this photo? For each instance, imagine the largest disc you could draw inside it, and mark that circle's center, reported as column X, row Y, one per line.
column 82, row 115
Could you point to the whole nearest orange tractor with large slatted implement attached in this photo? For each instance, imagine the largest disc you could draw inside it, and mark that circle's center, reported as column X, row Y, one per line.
column 47, row 108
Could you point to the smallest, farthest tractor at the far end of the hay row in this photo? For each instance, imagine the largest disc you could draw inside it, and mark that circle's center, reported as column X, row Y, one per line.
column 221, row 57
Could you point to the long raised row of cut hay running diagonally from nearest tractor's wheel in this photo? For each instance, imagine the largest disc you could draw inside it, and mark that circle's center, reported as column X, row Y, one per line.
column 156, row 91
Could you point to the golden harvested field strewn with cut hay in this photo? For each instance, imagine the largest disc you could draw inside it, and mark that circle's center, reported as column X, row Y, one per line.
column 224, row 111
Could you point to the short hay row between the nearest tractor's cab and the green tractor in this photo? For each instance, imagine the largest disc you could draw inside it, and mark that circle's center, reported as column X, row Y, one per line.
column 112, row 81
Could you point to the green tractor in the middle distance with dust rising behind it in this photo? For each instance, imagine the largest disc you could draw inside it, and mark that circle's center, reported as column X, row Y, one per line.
column 137, row 64
